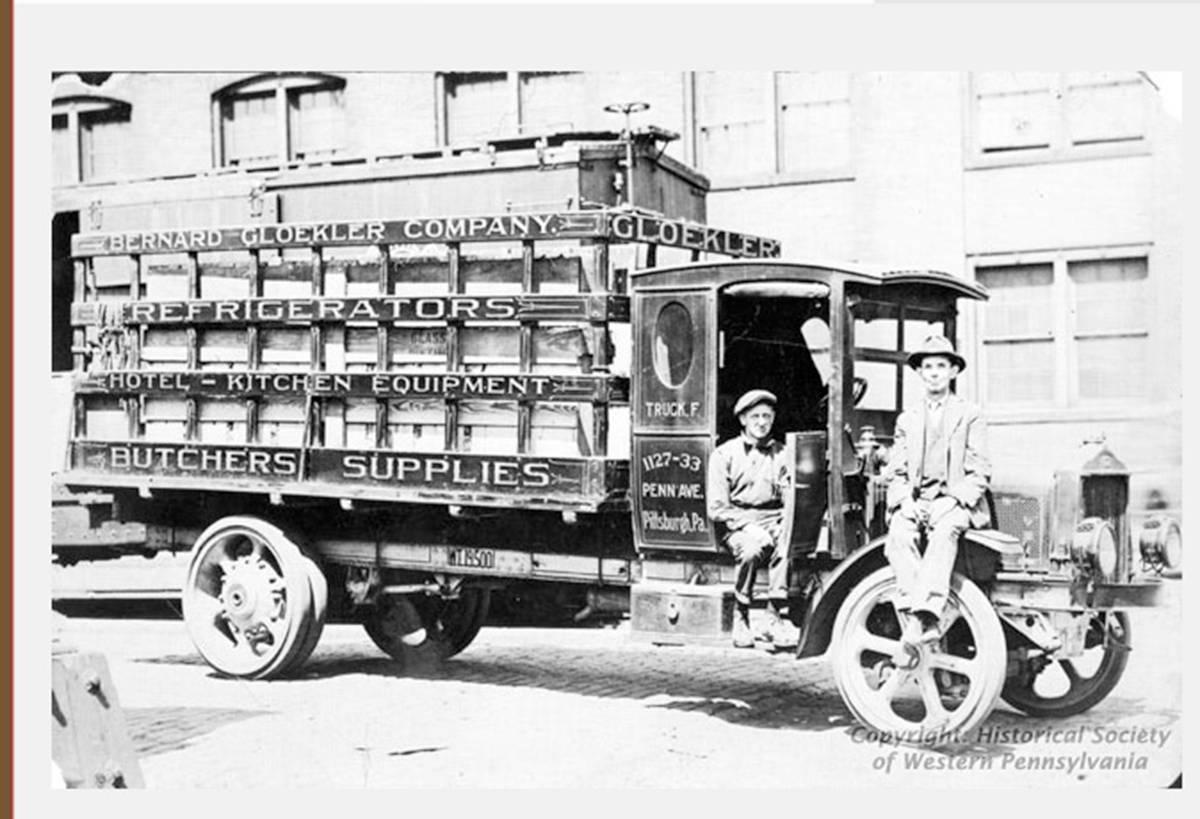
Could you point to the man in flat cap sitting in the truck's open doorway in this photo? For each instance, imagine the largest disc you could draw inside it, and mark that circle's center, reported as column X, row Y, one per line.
column 747, row 480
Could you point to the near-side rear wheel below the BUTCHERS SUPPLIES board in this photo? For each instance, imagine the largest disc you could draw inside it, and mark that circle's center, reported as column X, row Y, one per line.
column 254, row 601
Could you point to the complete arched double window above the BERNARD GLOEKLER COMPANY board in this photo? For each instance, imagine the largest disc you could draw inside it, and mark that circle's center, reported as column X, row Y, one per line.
column 277, row 118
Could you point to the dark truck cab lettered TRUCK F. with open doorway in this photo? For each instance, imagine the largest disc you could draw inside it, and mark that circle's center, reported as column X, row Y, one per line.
column 829, row 342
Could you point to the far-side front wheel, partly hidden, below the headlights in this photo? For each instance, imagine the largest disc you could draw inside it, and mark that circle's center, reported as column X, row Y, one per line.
column 1047, row 688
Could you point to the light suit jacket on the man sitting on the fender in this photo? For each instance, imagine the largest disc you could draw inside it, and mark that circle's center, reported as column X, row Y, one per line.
column 968, row 469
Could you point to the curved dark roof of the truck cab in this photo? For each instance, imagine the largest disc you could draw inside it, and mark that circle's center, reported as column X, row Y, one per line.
column 716, row 276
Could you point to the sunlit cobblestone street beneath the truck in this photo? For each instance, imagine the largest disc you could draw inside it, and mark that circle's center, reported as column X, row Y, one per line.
column 567, row 708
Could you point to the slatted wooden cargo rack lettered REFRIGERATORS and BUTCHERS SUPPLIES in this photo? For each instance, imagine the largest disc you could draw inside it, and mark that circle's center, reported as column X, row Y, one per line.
column 477, row 361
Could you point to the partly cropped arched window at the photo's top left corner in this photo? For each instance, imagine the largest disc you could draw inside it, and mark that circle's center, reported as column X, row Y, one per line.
column 88, row 128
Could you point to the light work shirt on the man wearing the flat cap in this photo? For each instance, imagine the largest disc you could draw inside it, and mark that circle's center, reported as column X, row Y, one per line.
column 747, row 482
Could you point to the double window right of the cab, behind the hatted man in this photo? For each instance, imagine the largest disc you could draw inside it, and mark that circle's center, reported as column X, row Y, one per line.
column 1065, row 331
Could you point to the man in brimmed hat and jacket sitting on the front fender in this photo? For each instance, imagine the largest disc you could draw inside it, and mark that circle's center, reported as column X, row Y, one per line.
column 939, row 474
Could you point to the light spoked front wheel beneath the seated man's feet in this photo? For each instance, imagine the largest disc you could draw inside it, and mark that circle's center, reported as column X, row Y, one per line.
column 932, row 694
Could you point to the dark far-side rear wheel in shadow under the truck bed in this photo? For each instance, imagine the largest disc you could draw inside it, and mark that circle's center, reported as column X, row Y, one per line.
column 451, row 626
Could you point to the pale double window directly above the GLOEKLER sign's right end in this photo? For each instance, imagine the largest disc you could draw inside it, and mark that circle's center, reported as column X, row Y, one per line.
column 788, row 123
